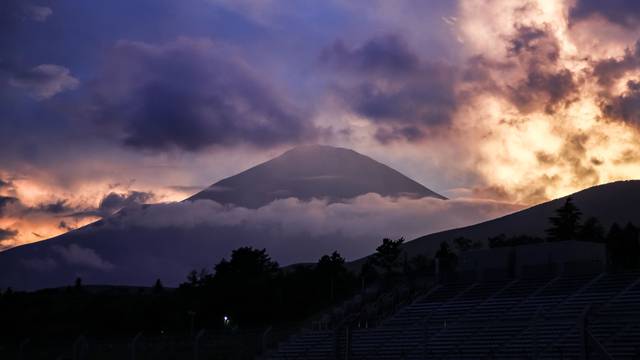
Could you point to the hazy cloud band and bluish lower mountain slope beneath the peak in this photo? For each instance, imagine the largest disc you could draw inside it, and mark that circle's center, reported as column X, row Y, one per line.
column 146, row 242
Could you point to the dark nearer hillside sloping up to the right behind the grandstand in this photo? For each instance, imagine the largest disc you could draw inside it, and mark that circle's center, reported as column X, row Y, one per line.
column 609, row 203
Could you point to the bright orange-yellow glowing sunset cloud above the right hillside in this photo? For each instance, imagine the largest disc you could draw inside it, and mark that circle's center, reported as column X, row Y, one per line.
column 549, row 143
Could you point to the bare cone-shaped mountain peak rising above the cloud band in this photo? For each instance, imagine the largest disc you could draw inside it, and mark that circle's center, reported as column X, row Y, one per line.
column 313, row 171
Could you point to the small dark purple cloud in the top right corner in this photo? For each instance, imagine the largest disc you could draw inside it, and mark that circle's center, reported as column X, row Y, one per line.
column 622, row 12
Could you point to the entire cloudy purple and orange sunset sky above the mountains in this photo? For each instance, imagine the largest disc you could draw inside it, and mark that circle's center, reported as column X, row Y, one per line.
column 113, row 103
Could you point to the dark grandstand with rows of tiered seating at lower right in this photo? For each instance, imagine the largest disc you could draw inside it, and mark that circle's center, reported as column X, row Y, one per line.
column 569, row 315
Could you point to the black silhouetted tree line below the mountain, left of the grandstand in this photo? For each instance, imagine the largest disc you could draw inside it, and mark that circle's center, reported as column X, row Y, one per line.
column 247, row 290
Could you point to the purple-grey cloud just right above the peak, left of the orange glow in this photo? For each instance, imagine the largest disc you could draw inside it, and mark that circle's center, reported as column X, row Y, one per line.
column 384, row 81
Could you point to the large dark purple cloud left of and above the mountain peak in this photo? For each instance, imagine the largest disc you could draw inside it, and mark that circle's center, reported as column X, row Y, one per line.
column 190, row 94
